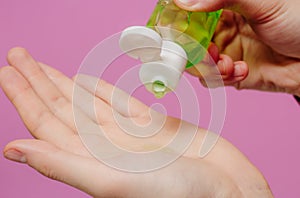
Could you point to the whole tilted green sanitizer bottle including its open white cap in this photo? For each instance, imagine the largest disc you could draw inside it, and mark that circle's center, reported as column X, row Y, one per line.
column 173, row 39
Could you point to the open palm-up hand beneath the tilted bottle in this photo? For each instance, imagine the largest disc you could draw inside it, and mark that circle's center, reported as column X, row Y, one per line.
column 43, row 96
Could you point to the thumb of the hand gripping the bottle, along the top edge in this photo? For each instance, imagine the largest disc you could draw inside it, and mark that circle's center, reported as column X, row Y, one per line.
column 253, row 10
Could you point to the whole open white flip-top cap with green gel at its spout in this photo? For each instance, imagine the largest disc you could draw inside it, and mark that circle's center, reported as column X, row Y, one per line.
column 164, row 61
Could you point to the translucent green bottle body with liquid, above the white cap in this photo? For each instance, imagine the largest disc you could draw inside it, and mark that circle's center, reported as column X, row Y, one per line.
column 198, row 28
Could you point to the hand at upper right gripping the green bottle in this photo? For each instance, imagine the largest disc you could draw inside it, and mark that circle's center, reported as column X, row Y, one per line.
column 259, row 36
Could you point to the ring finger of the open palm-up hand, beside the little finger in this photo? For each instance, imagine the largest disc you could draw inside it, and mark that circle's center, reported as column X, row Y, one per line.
column 67, row 87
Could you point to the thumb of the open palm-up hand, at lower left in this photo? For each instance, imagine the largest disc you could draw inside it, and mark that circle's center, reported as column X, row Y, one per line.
column 83, row 173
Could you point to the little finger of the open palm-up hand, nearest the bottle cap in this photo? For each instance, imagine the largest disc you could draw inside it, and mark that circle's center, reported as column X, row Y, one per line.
column 121, row 101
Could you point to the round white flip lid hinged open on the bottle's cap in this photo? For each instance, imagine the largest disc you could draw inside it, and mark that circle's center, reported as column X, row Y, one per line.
column 141, row 43
